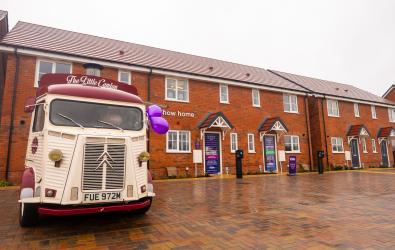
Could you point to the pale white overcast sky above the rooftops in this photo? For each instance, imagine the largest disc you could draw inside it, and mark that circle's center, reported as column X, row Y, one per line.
column 344, row 41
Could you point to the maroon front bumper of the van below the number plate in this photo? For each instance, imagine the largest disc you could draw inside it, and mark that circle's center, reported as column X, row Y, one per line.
column 61, row 211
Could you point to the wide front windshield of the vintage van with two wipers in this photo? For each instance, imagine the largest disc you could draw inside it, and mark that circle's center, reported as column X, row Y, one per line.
column 95, row 115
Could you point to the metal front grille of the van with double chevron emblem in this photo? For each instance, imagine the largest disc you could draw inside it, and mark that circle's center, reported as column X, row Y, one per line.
column 104, row 167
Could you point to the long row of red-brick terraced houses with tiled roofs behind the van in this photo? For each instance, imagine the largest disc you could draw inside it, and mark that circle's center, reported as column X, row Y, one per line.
column 213, row 107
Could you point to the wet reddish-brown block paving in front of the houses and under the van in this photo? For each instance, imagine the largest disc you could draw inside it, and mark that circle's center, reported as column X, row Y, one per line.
column 354, row 210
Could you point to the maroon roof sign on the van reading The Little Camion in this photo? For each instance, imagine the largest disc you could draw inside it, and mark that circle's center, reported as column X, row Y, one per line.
column 85, row 80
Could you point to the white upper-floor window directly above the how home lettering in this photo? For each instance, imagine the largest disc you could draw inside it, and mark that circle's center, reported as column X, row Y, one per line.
column 177, row 90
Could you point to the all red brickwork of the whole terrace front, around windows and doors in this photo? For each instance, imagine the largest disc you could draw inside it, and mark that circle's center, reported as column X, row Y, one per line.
column 204, row 97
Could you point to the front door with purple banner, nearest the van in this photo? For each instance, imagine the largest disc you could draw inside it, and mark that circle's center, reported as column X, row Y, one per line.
column 212, row 153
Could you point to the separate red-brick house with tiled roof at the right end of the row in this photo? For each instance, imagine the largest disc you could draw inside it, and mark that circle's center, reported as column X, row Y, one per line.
column 345, row 118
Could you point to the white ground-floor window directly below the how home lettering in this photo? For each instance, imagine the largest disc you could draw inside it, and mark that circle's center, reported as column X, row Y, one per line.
column 178, row 141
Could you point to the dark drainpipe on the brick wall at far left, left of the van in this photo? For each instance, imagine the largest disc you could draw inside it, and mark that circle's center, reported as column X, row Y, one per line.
column 11, row 125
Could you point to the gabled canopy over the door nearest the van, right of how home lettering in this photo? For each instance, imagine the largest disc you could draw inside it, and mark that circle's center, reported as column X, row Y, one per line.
column 215, row 120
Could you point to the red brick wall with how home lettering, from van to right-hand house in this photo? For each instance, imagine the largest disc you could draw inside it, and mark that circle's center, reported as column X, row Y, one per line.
column 204, row 97
